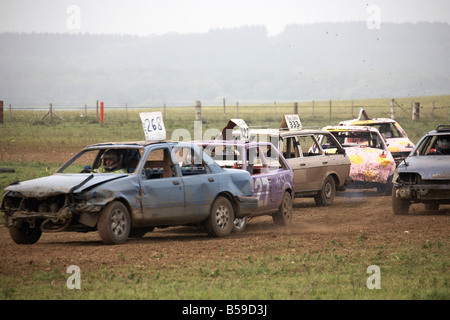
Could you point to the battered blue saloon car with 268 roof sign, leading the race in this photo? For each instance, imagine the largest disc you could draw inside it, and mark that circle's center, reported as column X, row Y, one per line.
column 128, row 189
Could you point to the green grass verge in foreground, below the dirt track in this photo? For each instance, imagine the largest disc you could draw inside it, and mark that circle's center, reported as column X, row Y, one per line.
column 407, row 273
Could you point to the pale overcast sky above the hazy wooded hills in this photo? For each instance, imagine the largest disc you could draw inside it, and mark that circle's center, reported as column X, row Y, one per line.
column 148, row 17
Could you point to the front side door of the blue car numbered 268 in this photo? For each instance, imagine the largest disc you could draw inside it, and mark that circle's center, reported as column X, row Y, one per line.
column 162, row 190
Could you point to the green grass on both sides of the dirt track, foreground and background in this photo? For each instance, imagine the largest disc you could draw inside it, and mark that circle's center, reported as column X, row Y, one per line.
column 414, row 271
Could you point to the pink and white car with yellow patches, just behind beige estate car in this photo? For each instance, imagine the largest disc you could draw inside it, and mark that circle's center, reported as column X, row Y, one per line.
column 372, row 163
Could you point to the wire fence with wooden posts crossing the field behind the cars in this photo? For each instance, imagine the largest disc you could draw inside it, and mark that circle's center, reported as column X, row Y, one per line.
column 252, row 113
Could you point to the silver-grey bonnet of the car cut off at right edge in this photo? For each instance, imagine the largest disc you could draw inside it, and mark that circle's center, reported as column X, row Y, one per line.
column 429, row 167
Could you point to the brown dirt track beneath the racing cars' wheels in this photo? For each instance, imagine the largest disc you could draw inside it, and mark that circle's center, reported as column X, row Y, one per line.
column 352, row 216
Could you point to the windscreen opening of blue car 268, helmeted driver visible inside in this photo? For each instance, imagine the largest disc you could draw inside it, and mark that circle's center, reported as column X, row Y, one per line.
column 104, row 160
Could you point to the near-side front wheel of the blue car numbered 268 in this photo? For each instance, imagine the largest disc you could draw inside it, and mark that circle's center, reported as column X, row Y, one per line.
column 114, row 223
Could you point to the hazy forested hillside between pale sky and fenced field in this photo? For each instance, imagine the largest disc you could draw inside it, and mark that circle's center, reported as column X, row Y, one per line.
column 305, row 62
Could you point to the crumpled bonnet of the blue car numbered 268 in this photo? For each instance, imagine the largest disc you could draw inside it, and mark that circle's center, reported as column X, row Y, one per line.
column 59, row 184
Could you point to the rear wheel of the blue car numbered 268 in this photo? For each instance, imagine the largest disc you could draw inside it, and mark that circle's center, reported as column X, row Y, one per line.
column 220, row 222
